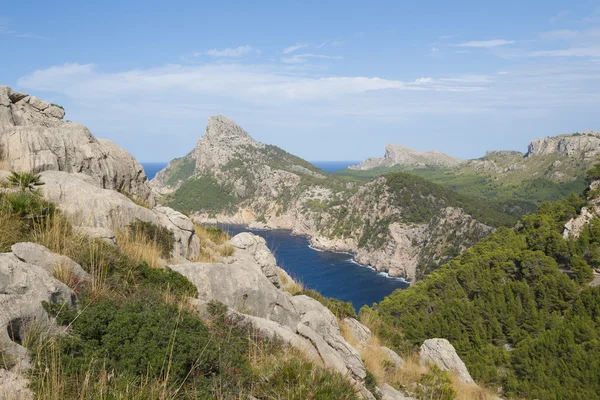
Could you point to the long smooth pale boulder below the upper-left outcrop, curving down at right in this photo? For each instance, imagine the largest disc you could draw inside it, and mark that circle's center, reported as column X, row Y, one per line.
column 87, row 204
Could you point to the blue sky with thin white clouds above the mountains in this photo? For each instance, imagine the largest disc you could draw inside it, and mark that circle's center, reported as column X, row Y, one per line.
column 325, row 80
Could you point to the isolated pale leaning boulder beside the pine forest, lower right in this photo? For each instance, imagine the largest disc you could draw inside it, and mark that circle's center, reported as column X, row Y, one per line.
column 441, row 353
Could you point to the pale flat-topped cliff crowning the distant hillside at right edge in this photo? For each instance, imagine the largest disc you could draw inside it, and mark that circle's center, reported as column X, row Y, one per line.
column 586, row 143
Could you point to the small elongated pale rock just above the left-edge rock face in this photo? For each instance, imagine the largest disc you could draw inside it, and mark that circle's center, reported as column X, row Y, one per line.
column 36, row 254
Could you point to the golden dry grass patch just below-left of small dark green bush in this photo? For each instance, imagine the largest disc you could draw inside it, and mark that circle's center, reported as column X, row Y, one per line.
column 139, row 248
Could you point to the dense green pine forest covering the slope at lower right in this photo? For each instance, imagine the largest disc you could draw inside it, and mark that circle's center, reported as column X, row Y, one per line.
column 517, row 307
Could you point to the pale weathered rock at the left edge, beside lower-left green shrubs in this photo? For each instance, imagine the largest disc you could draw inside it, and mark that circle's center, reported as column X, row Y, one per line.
column 23, row 287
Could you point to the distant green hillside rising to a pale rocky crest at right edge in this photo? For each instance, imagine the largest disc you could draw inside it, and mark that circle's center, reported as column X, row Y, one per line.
column 516, row 183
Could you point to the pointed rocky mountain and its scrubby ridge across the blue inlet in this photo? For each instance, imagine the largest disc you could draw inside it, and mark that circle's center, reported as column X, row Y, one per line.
column 396, row 224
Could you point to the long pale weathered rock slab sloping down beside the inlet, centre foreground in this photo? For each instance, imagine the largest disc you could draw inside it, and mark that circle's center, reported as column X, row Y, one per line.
column 297, row 320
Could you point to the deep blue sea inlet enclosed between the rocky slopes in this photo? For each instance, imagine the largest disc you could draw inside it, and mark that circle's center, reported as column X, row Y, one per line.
column 332, row 274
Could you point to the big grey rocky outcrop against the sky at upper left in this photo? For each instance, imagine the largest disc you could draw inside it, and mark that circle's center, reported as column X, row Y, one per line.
column 34, row 137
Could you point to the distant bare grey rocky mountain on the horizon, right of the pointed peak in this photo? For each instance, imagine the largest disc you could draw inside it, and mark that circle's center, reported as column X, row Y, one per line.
column 401, row 155
